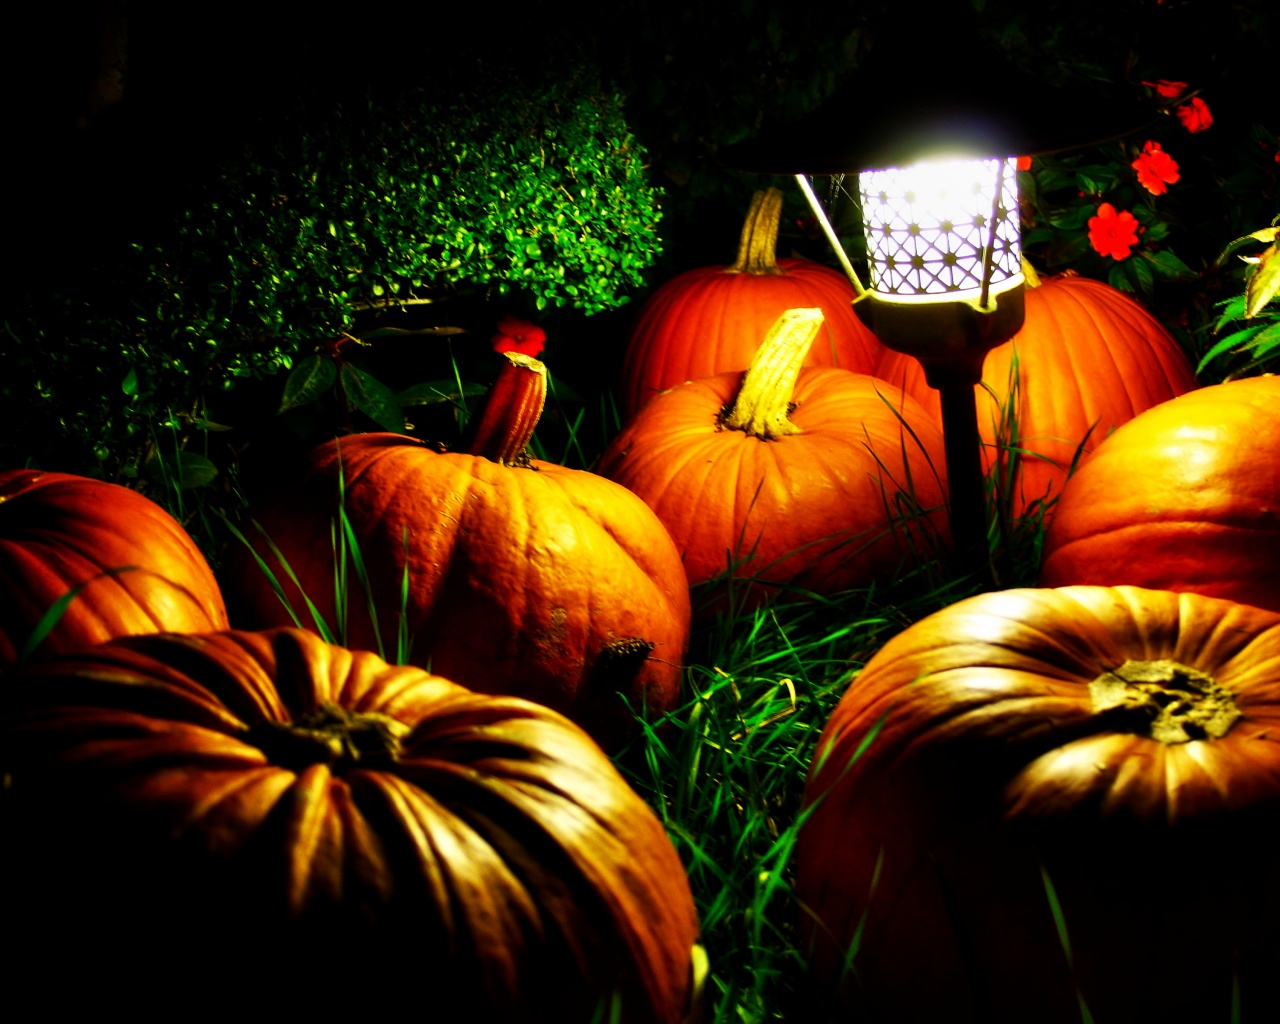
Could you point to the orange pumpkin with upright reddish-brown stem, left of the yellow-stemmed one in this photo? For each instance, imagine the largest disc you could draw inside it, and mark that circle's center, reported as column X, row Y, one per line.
column 508, row 574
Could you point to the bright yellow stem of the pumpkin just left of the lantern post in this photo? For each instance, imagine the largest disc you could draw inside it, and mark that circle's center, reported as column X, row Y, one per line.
column 765, row 399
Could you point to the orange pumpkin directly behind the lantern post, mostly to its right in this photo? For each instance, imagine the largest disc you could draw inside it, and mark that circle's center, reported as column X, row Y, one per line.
column 1087, row 359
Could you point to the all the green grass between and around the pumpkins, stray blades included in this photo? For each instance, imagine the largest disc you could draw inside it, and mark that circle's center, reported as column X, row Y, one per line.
column 725, row 771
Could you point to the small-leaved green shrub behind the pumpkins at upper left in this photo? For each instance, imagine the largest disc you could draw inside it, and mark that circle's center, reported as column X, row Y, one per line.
column 481, row 186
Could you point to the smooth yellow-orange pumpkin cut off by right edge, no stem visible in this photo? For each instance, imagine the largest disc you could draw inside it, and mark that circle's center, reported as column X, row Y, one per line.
column 1185, row 497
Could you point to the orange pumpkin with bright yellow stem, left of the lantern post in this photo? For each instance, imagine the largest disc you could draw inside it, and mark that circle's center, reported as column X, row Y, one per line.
column 811, row 478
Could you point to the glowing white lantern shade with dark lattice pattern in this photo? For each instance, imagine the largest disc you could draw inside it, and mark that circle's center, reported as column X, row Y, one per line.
column 927, row 228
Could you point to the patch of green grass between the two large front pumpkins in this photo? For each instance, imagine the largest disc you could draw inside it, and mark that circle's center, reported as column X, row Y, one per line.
column 726, row 774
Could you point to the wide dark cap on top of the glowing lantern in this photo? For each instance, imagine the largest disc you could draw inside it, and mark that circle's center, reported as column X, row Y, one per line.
column 945, row 93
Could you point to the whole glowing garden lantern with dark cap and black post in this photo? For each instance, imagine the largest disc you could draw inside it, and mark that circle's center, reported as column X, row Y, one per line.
column 932, row 126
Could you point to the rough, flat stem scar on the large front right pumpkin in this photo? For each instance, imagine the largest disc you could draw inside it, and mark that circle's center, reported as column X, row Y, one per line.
column 1165, row 701
